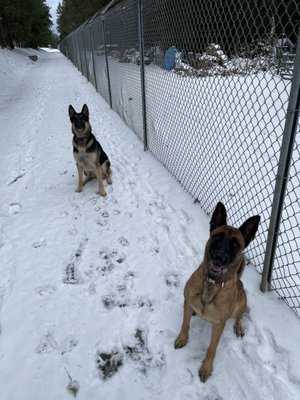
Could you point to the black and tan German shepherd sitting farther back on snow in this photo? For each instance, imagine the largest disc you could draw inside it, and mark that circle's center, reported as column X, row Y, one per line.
column 89, row 155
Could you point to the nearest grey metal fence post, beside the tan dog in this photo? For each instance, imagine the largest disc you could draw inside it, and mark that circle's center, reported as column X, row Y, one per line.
column 288, row 141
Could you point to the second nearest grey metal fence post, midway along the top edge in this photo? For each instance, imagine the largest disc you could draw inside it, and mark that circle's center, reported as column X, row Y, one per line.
column 142, row 70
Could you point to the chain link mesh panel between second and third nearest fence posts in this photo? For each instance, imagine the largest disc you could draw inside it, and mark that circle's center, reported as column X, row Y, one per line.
column 123, row 59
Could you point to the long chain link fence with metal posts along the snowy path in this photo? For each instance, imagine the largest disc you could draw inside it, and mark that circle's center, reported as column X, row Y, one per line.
column 206, row 86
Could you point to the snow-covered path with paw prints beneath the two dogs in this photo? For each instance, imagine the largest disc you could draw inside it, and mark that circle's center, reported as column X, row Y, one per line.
column 91, row 286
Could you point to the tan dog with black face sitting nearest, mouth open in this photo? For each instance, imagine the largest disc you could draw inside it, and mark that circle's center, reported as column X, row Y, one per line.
column 215, row 291
